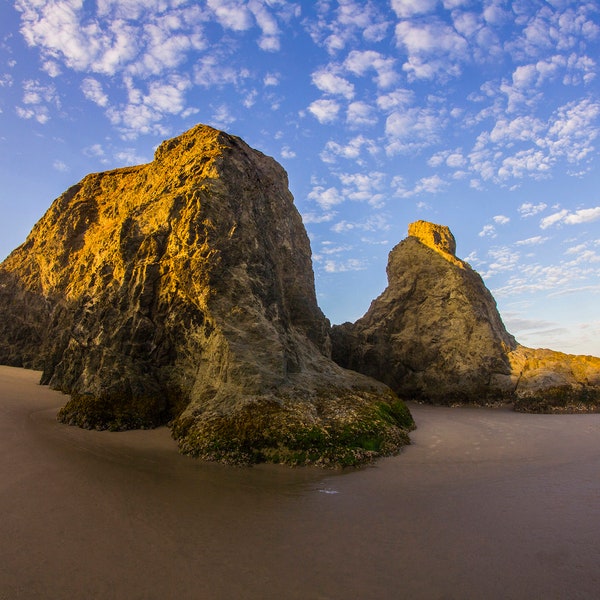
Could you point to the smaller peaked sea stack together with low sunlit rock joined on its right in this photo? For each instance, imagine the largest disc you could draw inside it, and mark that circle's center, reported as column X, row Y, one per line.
column 435, row 334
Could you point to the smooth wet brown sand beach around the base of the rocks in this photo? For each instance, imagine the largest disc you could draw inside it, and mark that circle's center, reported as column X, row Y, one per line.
column 486, row 503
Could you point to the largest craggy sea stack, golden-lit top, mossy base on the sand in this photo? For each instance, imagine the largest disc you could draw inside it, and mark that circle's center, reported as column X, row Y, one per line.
column 183, row 289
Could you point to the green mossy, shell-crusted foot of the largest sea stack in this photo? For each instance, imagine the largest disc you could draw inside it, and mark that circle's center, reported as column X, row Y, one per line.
column 279, row 431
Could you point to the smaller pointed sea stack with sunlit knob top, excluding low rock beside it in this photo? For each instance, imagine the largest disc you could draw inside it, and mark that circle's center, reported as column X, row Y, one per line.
column 434, row 334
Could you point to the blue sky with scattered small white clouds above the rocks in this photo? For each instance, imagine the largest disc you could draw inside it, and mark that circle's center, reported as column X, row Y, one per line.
column 483, row 116
